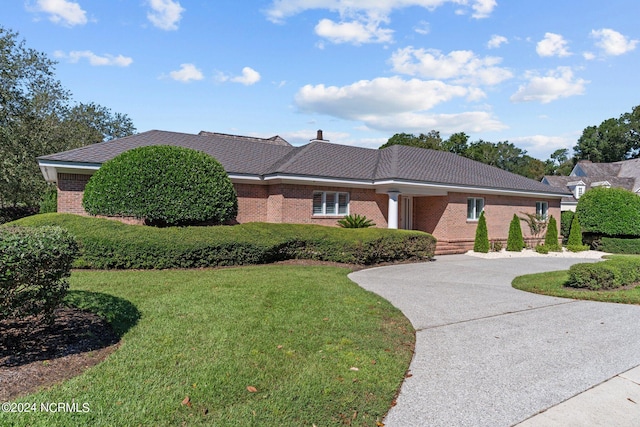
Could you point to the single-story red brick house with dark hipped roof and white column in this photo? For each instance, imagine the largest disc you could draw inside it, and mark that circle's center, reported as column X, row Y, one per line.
column 318, row 183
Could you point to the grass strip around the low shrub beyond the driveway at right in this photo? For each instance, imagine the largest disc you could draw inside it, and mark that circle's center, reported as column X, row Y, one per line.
column 553, row 284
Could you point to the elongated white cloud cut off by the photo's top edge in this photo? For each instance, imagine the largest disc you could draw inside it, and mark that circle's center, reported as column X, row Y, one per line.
column 282, row 9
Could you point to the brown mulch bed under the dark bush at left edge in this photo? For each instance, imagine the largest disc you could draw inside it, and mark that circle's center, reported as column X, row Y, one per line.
column 32, row 357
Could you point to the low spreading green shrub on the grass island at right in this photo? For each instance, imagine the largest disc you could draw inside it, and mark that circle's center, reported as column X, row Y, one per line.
column 611, row 274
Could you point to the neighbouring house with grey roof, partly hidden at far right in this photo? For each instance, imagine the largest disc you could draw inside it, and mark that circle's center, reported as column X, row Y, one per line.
column 586, row 174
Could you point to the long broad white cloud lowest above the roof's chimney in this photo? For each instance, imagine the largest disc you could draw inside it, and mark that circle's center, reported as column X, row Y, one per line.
column 394, row 104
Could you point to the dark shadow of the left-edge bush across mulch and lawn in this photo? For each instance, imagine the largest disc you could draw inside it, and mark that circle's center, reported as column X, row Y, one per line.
column 91, row 321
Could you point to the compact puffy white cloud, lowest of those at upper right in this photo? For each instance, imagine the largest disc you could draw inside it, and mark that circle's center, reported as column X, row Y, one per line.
column 558, row 83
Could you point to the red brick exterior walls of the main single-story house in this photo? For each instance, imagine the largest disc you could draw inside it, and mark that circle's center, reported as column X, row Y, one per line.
column 443, row 216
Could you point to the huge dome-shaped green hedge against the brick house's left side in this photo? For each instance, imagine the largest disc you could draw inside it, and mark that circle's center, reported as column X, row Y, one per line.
column 163, row 184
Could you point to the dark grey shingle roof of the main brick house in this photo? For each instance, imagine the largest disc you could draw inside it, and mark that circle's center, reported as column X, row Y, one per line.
column 252, row 156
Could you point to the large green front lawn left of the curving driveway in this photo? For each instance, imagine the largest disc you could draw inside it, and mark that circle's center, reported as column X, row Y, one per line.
column 295, row 333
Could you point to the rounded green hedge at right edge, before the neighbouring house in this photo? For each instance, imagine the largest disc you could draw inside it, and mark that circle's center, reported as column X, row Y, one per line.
column 609, row 212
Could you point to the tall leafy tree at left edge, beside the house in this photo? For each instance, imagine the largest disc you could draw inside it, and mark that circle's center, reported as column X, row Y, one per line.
column 38, row 117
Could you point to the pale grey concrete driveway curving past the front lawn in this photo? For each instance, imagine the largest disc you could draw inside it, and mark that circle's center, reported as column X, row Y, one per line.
column 490, row 355
